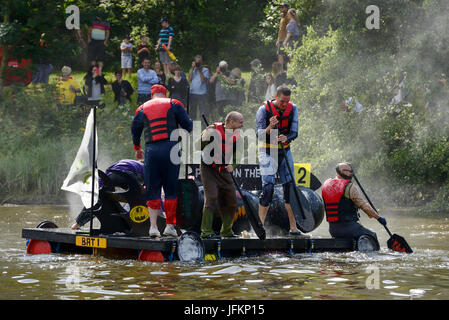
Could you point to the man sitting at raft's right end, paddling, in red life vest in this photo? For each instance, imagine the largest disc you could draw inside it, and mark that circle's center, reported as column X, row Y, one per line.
column 342, row 200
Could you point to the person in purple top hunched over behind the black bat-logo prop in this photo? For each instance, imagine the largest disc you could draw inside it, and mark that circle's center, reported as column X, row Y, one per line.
column 129, row 165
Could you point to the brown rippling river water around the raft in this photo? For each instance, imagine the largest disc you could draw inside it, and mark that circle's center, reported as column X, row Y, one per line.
column 354, row 275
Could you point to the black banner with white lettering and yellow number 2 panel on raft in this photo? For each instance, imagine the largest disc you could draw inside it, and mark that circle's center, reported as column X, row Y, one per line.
column 249, row 178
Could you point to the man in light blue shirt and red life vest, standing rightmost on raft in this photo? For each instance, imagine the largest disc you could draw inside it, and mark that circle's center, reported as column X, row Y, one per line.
column 282, row 115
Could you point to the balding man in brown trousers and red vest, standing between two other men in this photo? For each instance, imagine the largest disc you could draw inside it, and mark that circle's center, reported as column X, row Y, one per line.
column 219, row 158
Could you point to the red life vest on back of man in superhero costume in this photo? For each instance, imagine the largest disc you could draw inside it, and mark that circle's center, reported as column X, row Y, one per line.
column 160, row 120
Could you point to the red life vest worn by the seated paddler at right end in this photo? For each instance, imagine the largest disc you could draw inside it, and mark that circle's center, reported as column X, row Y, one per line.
column 338, row 207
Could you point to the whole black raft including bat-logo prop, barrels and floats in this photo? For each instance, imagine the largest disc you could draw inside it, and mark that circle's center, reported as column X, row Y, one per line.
column 124, row 234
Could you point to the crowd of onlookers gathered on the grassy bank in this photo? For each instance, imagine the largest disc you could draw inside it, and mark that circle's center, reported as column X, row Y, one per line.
column 203, row 90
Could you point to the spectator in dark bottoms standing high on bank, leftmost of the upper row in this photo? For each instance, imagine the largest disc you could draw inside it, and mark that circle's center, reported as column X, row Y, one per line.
column 97, row 37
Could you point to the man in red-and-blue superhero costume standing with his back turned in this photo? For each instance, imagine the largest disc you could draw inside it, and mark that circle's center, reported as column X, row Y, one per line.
column 159, row 117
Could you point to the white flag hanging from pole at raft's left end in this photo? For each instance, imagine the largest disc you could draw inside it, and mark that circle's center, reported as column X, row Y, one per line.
column 79, row 179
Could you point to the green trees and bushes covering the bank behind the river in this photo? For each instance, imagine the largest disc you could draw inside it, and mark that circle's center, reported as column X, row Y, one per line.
column 401, row 149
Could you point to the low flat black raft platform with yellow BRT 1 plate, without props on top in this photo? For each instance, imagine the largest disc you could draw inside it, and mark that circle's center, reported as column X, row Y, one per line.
column 65, row 240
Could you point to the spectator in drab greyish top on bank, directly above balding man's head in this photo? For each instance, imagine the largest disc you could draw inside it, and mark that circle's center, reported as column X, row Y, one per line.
column 222, row 79
